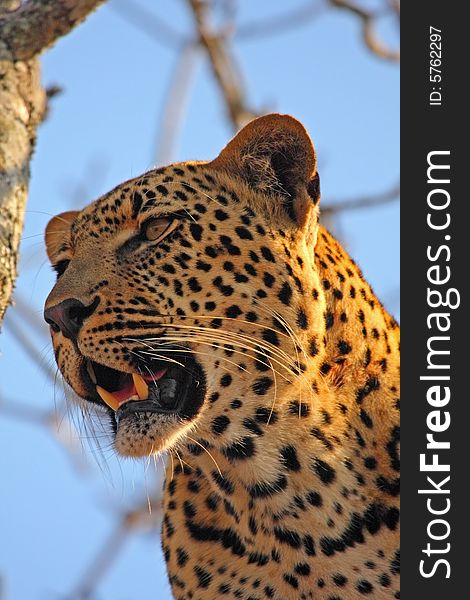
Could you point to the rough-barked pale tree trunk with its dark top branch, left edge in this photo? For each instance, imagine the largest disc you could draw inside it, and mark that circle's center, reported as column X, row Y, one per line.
column 25, row 30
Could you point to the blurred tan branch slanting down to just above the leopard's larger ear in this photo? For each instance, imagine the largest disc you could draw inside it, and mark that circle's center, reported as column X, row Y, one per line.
column 223, row 66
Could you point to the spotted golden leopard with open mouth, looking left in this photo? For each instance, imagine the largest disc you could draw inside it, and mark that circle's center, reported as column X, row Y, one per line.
column 203, row 310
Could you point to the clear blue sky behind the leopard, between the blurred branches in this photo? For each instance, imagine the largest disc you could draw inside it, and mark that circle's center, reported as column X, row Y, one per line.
column 105, row 128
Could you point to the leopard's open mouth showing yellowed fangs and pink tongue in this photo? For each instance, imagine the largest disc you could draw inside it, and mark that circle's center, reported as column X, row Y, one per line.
column 159, row 387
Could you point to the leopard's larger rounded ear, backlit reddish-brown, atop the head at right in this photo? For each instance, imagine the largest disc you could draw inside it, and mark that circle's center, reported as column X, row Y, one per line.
column 275, row 156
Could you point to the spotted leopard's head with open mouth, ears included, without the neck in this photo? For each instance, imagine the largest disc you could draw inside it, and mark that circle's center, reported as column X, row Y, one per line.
column 191, row 288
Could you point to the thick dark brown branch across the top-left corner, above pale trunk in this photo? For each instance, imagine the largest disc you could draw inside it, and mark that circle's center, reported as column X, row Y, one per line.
column 37, row 24
